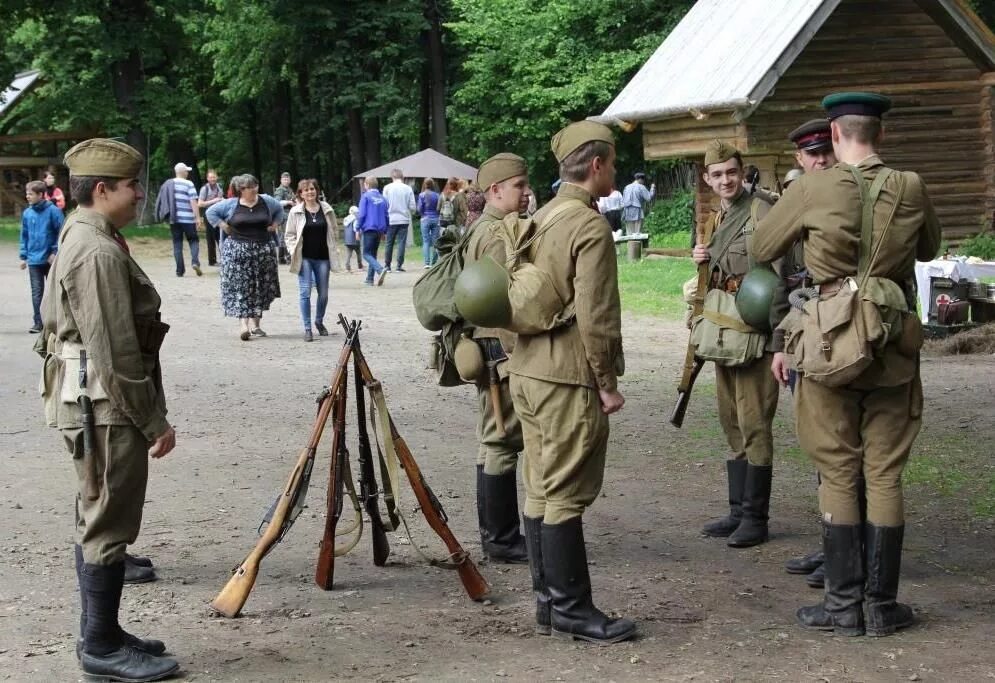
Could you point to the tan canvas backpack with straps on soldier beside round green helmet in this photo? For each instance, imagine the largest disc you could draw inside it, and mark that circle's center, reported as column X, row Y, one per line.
column 536, row 307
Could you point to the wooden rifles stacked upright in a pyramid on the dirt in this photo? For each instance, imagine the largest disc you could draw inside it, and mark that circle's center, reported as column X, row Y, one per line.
column 393, row 455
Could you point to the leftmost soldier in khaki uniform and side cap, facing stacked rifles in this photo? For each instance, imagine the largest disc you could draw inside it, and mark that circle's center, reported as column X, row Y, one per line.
column 103, row 390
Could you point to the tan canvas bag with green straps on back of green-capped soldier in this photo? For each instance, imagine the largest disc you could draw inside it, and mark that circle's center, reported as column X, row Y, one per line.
column 837, row 337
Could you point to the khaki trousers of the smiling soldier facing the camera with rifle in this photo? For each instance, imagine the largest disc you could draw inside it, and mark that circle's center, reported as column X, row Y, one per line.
column 747, row 403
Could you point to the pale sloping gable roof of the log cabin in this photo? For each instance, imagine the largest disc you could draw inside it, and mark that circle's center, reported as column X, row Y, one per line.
column 727, row 55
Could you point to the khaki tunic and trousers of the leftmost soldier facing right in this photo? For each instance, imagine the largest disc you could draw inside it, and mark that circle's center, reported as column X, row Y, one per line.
column 101, row 300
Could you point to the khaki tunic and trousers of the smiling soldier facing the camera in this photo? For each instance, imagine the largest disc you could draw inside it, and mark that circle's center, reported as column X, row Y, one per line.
column 747, row 394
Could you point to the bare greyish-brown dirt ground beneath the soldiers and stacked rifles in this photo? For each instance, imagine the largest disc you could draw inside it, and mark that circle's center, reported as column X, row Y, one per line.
column 242, row 411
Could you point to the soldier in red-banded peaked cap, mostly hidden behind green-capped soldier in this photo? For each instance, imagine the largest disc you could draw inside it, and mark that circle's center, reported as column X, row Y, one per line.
column 814, row 153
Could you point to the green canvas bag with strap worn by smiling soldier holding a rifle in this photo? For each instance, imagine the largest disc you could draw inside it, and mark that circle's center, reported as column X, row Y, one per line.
column 720, row 334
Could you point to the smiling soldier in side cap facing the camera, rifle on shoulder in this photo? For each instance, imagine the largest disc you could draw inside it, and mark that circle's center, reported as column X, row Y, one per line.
column 747, row 394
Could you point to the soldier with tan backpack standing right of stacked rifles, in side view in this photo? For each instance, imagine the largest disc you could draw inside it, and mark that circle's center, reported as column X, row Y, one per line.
column 564, row 384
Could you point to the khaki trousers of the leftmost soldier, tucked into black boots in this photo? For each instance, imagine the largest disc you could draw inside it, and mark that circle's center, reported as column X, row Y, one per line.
column 106, row 526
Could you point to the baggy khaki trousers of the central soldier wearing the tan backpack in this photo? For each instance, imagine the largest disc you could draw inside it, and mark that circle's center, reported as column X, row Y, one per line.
column 566, row 438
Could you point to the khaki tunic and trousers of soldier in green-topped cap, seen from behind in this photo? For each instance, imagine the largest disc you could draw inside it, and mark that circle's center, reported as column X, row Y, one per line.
column 868, row 426
